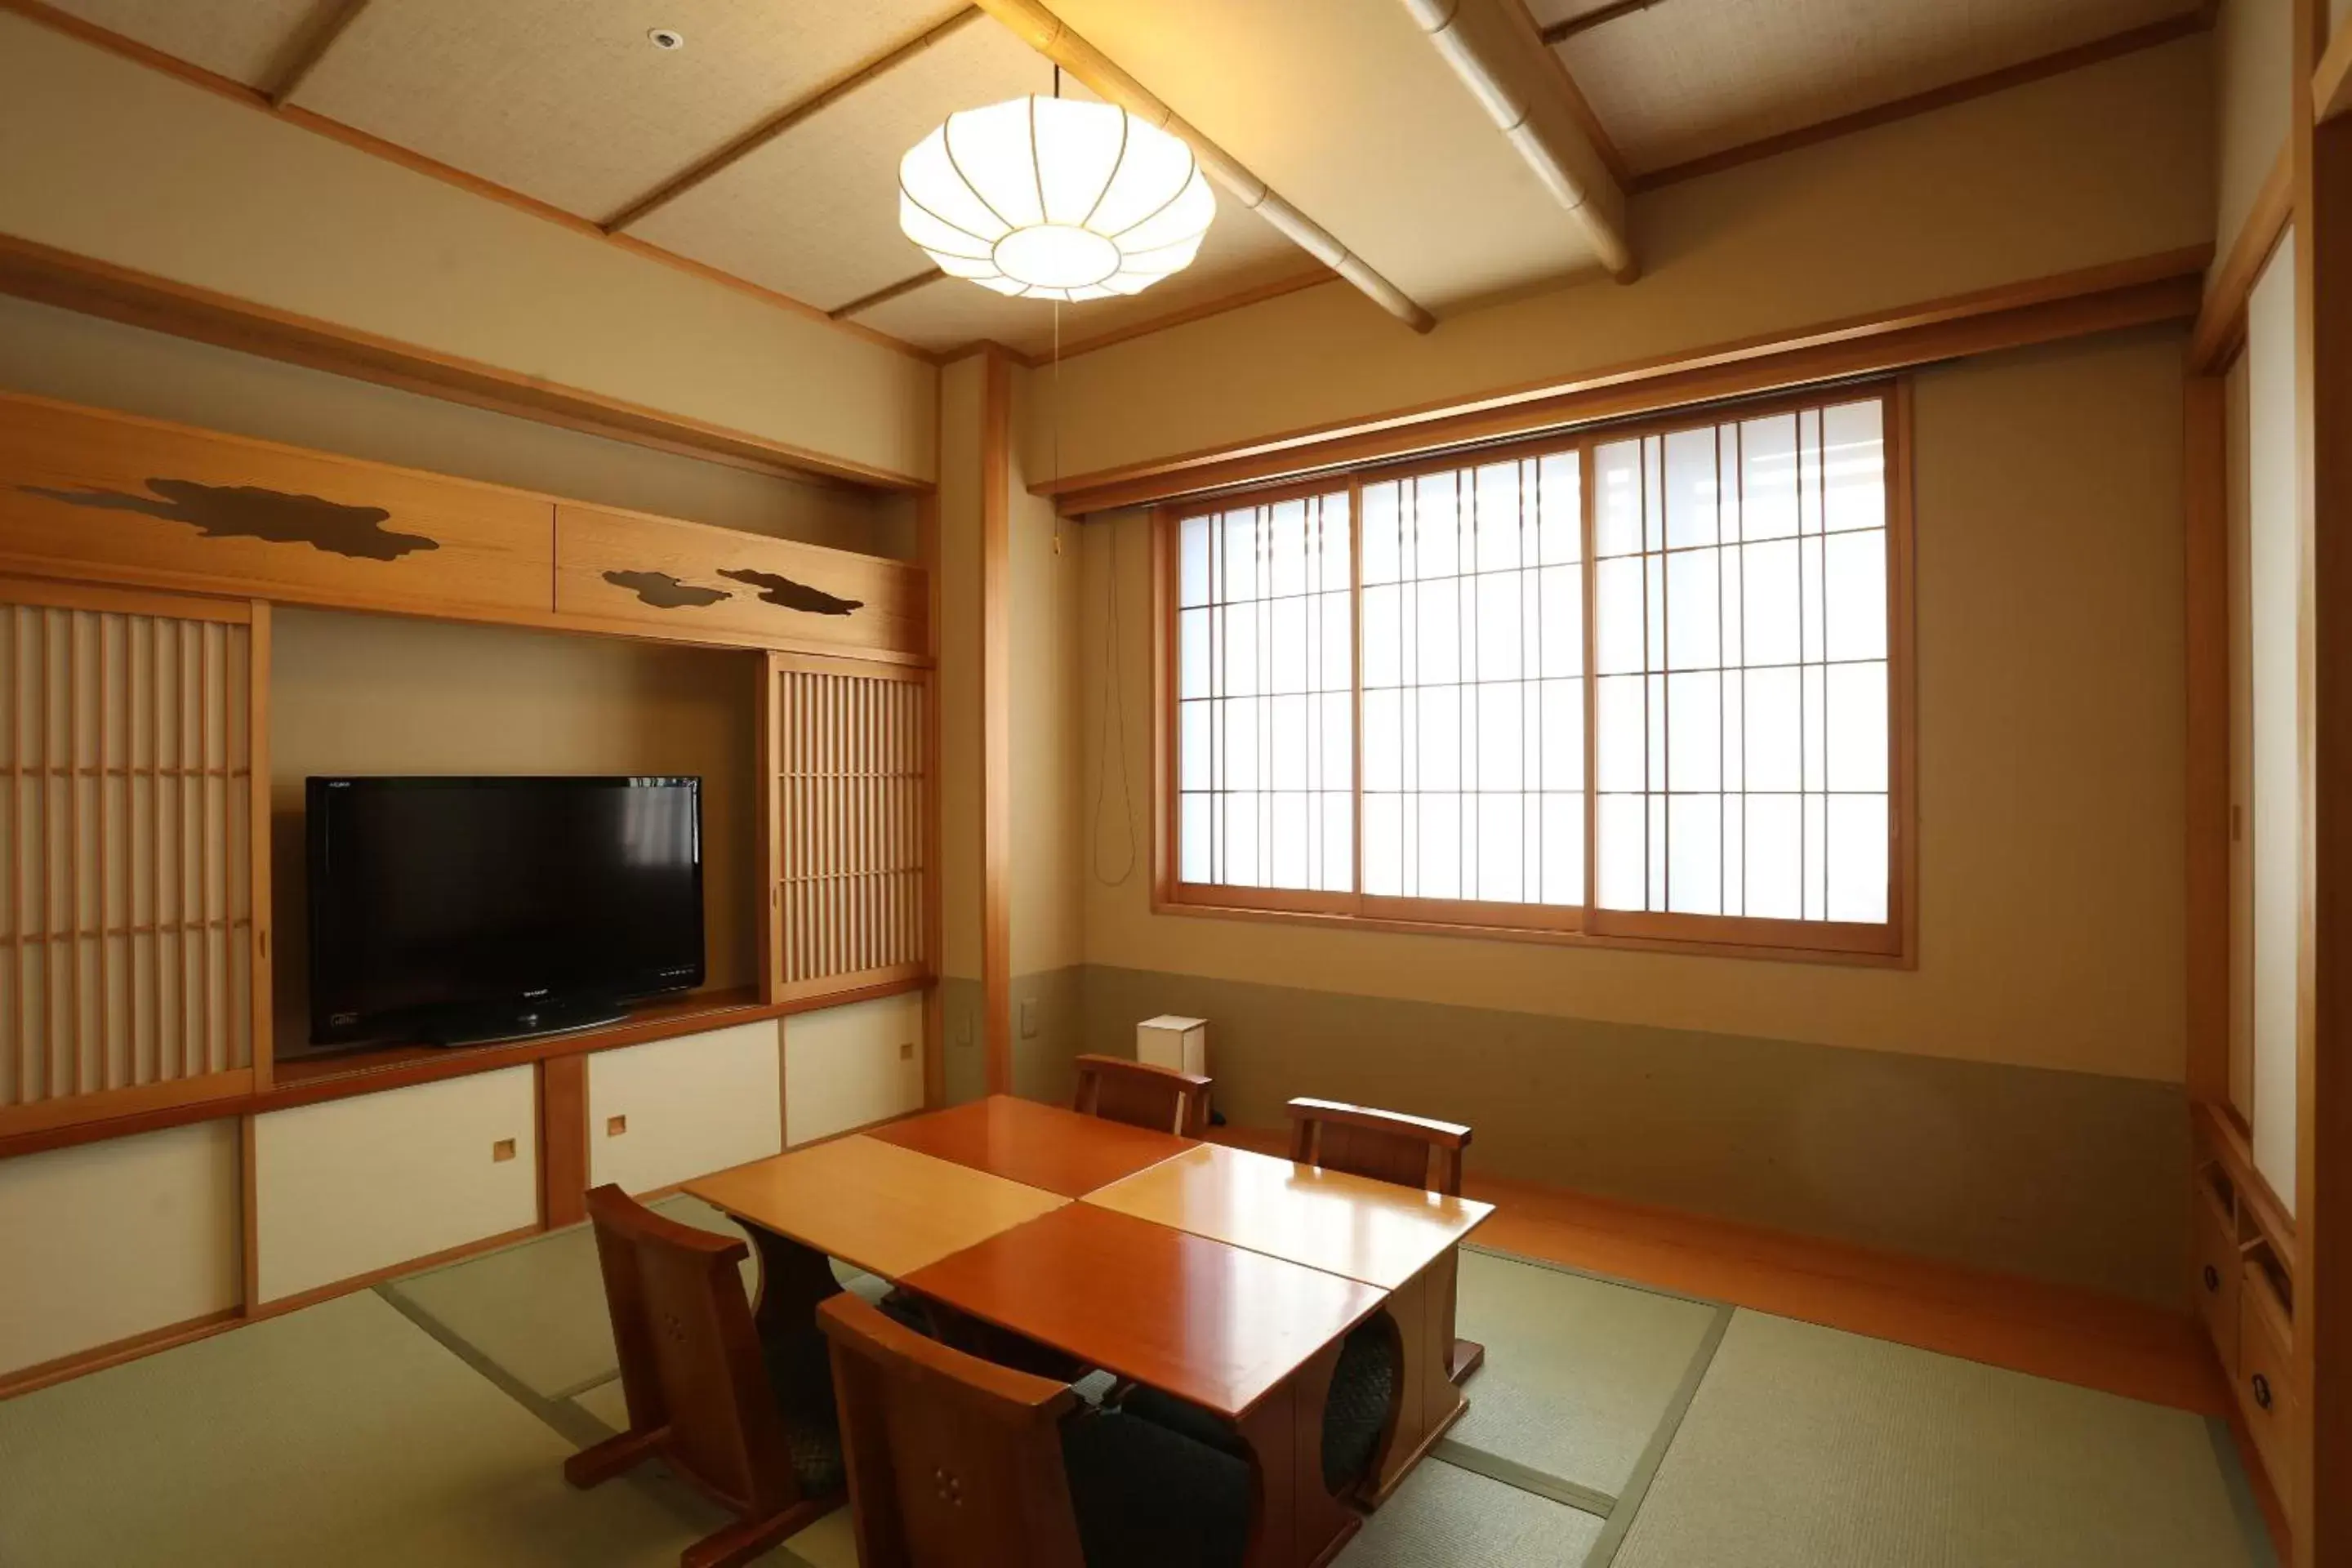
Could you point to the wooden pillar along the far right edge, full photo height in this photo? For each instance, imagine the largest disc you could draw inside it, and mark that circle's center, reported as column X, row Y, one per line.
column 2323, row 175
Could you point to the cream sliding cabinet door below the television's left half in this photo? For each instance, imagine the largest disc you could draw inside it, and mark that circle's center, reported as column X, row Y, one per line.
column 363, row 1186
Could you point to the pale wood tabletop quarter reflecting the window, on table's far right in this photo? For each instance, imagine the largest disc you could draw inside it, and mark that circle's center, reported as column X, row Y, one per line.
column 1330, row 1221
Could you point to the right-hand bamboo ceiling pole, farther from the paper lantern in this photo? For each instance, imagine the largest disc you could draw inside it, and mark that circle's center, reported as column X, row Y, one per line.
column 1495, row 48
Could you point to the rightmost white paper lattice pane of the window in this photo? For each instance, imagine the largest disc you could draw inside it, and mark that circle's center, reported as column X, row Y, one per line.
column 1742, row 669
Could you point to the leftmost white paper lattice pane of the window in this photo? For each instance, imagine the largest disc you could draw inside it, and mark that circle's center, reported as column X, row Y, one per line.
column 1267, row 695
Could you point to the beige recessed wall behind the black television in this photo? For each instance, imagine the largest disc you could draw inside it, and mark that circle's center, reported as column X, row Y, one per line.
column 385, row 695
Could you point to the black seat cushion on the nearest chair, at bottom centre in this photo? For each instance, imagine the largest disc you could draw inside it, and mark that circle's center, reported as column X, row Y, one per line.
column 1149, row 1496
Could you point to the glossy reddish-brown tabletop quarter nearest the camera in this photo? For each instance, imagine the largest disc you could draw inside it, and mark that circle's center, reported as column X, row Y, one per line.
column 1208, row 1322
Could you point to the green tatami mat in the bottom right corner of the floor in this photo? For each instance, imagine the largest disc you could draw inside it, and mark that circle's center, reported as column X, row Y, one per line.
column 1812, row 1447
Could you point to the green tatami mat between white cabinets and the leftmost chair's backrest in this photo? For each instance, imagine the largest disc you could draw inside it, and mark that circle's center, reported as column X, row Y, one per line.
column 537, row 1311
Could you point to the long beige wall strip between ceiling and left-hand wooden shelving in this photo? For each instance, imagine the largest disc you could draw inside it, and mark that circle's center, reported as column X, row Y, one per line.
column 123, row 163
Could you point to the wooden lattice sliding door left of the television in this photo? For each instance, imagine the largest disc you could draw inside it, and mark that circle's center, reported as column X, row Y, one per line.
column 133, row 855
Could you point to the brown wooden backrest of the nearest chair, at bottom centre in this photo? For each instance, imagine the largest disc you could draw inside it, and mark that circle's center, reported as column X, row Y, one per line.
column 954, row 1461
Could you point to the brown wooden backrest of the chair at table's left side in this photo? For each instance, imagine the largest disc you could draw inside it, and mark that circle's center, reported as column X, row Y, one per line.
column 690, row 1355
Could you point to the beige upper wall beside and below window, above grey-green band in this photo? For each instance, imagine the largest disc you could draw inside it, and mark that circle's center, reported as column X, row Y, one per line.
column 2050, row 768
